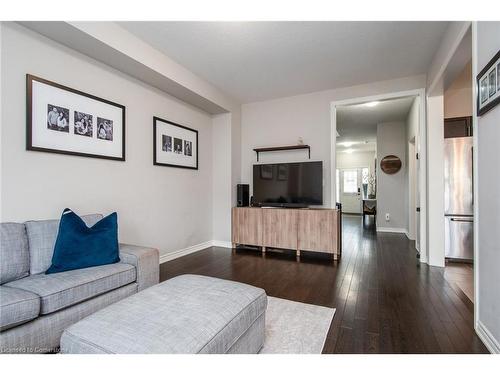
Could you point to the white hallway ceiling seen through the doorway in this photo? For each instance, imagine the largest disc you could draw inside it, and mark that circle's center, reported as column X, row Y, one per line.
column 357, row 124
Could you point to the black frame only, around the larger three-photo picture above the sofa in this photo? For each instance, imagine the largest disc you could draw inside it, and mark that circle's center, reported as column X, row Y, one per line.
column 29, row 119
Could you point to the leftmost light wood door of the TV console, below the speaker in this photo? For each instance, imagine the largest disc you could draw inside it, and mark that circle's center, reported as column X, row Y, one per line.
column 247, row 226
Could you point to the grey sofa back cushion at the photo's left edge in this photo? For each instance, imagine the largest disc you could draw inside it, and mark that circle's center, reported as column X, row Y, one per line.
column 14, row 253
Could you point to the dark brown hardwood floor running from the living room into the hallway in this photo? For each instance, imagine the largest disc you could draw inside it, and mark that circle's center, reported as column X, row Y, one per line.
column 386, row 301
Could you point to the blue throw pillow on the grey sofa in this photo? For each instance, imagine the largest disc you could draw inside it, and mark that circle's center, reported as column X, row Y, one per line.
column 78, row 246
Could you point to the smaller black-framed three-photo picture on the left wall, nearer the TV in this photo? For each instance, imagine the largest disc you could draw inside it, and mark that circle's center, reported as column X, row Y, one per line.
column 174, row 145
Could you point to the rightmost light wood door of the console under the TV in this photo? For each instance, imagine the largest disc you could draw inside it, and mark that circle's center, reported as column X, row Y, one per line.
column 318, row 231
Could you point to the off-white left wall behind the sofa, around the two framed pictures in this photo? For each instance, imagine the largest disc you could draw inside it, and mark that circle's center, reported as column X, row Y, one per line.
column 167, row 208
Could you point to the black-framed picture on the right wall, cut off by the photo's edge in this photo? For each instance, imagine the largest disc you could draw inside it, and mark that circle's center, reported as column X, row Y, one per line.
column 485, row 74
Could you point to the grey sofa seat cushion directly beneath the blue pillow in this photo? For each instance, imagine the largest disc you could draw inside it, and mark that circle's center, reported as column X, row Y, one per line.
column 60, row 290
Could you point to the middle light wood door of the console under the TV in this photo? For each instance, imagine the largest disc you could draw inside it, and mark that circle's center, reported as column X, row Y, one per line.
column 280, row 228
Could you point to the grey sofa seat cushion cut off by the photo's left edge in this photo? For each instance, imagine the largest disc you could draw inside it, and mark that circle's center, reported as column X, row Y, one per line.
column 17, row 306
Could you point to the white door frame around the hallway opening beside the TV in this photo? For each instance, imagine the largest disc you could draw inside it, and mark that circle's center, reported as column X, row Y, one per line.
column 421, row 149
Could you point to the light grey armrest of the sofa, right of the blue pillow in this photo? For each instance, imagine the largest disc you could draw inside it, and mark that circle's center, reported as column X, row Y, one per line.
column 146, row 261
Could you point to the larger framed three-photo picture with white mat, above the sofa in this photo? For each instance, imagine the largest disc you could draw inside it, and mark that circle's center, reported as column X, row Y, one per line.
column 63, row 120
